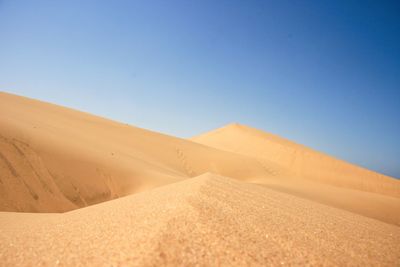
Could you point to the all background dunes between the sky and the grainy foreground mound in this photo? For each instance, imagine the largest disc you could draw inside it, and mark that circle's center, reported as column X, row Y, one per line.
column 55, row 159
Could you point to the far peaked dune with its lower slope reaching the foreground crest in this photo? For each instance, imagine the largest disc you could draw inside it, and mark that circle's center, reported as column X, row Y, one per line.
column 311, row 174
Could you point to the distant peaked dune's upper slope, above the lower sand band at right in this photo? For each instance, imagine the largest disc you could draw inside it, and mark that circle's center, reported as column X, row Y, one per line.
column 300, row 160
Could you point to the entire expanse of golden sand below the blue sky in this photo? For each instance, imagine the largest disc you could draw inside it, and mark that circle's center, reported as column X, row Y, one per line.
column 76, row 189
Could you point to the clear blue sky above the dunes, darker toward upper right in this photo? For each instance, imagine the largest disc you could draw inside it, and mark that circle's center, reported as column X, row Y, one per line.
column 322, row 73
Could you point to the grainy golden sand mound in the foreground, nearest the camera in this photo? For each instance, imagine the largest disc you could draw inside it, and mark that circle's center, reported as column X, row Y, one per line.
column 207, row 220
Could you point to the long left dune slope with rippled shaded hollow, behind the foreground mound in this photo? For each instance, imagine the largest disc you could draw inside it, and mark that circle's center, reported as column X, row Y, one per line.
column 55, row 159
